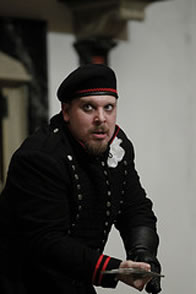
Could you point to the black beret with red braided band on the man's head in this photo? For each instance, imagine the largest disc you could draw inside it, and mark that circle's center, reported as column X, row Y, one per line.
column 88, row 80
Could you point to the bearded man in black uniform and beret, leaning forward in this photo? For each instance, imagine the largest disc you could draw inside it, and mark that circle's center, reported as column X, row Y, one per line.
column 67, row 185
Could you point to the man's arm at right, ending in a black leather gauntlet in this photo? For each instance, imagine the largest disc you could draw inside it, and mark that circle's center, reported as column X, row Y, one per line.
column 137, row 223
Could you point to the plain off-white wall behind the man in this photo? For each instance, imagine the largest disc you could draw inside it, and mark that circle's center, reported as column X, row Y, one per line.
column 156, row 70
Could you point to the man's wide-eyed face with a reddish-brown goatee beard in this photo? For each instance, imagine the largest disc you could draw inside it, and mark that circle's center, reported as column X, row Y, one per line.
column 91, row 120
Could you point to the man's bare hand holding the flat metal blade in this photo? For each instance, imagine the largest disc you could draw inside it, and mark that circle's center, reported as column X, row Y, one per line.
column 138, row 284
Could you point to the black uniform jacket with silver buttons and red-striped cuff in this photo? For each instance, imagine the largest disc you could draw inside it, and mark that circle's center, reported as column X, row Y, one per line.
column 57, row 209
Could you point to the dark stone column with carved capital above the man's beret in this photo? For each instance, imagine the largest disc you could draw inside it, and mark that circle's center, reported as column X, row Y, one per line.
column 98, row 24
